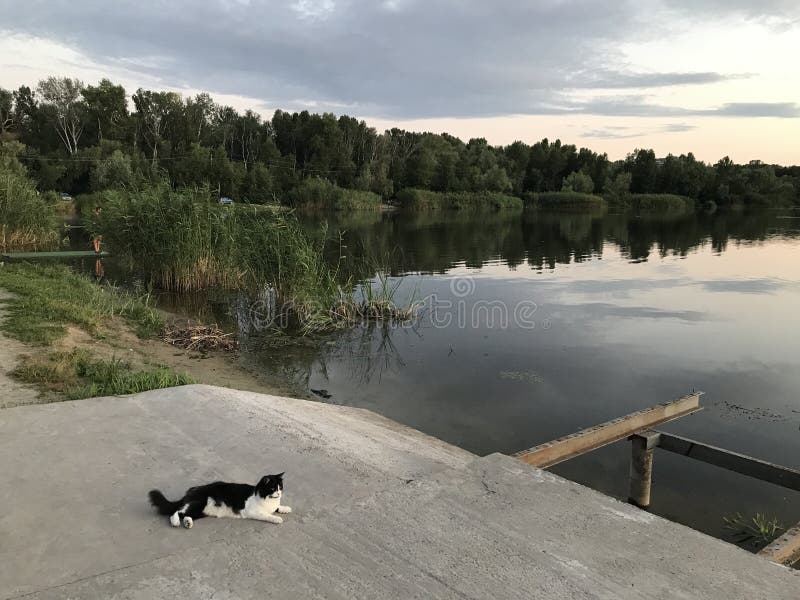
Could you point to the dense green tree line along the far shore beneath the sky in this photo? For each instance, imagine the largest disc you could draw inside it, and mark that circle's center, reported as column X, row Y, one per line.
column 80, row 138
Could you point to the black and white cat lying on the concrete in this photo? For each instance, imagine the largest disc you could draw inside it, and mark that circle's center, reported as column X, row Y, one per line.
column 219, row 499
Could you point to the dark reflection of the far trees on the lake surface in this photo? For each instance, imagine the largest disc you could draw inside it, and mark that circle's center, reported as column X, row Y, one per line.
column 434, row 242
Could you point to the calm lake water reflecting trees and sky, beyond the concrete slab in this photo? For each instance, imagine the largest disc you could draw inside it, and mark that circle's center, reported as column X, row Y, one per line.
column 538, row 325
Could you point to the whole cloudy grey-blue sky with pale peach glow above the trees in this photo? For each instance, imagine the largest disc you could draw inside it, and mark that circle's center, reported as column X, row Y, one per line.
column 715, row 77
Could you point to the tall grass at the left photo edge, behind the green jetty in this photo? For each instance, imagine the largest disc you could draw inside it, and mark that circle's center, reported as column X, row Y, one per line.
column 27, row 220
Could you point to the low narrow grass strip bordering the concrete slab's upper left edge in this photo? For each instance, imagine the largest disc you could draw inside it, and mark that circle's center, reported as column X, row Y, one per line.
column 76, row 375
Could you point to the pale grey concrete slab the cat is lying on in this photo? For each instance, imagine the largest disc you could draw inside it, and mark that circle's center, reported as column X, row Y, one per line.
column 380, row 511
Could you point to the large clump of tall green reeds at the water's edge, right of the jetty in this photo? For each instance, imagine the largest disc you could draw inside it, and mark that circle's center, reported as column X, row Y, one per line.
column 182, row 241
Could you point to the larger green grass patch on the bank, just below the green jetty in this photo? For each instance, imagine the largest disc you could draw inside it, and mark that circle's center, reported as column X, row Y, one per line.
column 47, row 298
